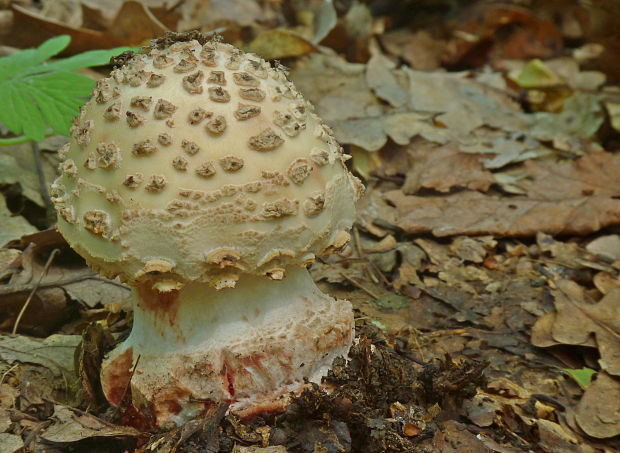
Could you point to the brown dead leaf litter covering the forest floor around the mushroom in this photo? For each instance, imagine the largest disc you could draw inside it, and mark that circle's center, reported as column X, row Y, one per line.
column 484, row 264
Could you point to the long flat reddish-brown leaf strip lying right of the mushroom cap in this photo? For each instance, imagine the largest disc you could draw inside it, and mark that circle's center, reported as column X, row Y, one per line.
column 475, row 213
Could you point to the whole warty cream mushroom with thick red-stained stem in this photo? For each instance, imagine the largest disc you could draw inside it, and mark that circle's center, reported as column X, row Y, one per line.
column 210, row 201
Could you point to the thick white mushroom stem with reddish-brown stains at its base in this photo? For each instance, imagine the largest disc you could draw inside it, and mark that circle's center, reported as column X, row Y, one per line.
column 198, row 343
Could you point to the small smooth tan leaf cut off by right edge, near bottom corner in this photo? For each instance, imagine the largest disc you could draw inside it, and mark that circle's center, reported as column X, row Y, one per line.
column 598, row 412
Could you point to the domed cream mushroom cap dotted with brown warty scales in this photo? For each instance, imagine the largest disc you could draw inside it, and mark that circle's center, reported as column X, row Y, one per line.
column 201, row 163
